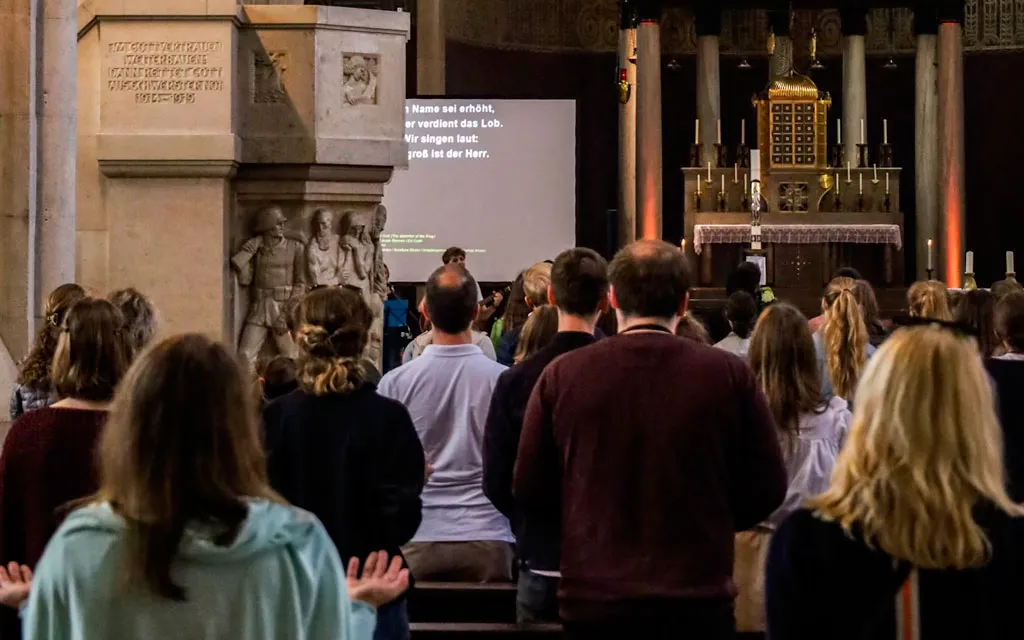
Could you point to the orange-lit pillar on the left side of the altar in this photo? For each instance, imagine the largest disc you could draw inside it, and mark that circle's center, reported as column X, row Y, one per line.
column 649, row 122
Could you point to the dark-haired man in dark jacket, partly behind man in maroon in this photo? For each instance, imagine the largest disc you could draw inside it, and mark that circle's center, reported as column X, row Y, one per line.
column 580, row 292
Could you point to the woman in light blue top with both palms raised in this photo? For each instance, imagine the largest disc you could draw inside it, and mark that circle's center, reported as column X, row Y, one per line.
column 186, row 539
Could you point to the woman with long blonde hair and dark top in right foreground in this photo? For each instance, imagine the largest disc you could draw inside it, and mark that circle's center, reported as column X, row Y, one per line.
column 917, row 536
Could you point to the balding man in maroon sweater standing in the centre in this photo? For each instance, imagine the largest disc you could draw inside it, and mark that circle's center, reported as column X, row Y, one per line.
column 663, row 449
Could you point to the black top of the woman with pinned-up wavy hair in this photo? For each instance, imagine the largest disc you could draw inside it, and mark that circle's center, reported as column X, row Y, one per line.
column 355, row 461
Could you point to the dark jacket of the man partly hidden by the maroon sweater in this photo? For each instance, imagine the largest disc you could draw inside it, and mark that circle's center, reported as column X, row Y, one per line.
column 538, row 537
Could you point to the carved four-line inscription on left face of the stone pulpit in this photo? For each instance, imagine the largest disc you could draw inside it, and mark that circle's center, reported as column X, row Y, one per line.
column 170, row 72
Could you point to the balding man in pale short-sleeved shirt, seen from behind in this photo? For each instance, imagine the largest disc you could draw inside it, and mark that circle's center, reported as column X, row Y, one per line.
column 463, row 538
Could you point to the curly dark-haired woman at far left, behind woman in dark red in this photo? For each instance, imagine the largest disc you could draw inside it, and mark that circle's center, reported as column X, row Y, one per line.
column 34, row 390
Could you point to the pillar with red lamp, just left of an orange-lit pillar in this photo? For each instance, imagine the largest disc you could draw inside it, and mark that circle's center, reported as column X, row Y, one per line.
column 628, row 126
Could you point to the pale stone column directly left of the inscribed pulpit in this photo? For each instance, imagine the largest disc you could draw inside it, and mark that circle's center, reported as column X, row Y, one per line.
column 57, row 79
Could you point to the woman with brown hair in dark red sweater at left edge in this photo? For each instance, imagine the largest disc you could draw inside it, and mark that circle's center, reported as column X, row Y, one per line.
column 48, row 459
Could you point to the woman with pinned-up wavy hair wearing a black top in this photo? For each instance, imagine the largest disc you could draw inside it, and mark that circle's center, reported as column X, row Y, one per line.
column 338, row 449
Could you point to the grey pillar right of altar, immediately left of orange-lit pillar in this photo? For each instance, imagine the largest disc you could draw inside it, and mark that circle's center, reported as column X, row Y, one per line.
column 926, row 141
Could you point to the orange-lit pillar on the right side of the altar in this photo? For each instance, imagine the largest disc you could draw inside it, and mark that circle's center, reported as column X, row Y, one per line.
column 951, row 184
